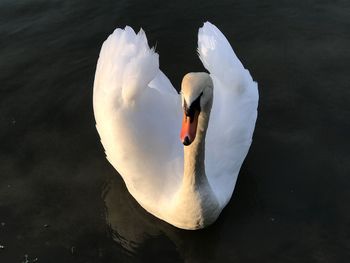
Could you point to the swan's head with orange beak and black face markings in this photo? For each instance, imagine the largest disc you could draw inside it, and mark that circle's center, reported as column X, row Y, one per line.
column 197, row 98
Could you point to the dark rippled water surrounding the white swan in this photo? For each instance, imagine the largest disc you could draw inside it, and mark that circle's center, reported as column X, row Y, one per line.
column 61, row 201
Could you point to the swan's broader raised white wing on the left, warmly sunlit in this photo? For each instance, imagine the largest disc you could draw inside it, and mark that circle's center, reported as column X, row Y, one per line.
column 138, row 116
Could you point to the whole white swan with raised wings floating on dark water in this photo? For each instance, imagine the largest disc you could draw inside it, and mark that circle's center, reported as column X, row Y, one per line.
column 184, row 181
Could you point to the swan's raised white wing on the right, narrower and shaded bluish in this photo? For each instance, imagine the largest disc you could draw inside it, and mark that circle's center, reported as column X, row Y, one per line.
column 234, row 111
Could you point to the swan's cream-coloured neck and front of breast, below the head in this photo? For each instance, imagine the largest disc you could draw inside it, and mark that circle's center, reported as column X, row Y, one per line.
column 195, row 198
